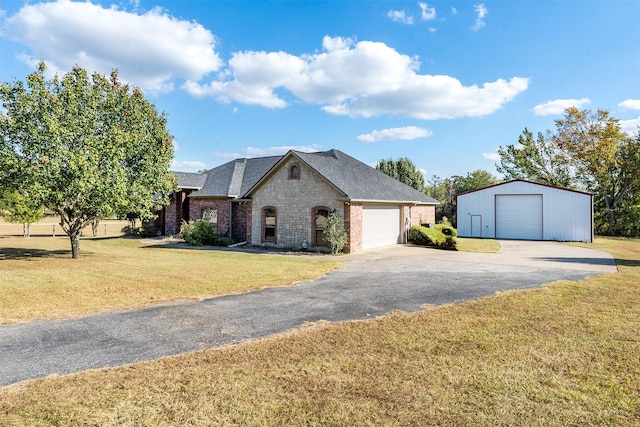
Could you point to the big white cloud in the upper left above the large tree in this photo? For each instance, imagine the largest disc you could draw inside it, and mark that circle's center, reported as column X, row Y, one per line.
column 150, row 49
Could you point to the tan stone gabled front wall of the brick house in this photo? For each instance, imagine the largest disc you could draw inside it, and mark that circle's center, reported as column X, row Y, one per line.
column 293, row 199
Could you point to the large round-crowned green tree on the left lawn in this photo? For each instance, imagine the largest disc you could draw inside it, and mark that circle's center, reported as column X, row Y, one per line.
column 84, row 146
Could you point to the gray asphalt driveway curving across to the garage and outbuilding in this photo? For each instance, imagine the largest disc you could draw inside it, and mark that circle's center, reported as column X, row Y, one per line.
column 370, row 284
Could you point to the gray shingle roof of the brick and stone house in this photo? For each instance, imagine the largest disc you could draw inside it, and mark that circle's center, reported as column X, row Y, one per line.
column 356, row 180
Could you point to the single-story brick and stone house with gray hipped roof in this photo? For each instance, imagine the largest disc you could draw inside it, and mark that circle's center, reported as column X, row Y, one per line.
column 284, row 201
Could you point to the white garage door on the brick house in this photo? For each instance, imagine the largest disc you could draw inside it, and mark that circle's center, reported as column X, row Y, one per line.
column 380, row 226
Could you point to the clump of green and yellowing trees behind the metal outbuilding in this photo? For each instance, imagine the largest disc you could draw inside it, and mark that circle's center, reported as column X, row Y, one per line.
column 589, row 151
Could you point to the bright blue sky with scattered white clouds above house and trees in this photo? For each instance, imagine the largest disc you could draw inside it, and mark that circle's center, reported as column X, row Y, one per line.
column 443, row 83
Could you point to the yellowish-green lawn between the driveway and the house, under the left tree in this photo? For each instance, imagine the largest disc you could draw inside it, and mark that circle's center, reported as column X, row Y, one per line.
column 39, row 278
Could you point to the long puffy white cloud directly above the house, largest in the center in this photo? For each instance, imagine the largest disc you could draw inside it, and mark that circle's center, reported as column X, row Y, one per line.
column 357, row 79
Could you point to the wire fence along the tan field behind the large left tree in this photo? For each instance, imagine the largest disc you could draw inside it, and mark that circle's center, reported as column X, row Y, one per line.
column 51, row 227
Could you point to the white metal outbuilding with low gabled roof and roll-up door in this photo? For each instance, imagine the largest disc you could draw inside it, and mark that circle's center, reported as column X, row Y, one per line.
column 526, row 210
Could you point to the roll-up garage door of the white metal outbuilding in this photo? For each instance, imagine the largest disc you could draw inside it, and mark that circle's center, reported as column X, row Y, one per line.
column 519, row 216
